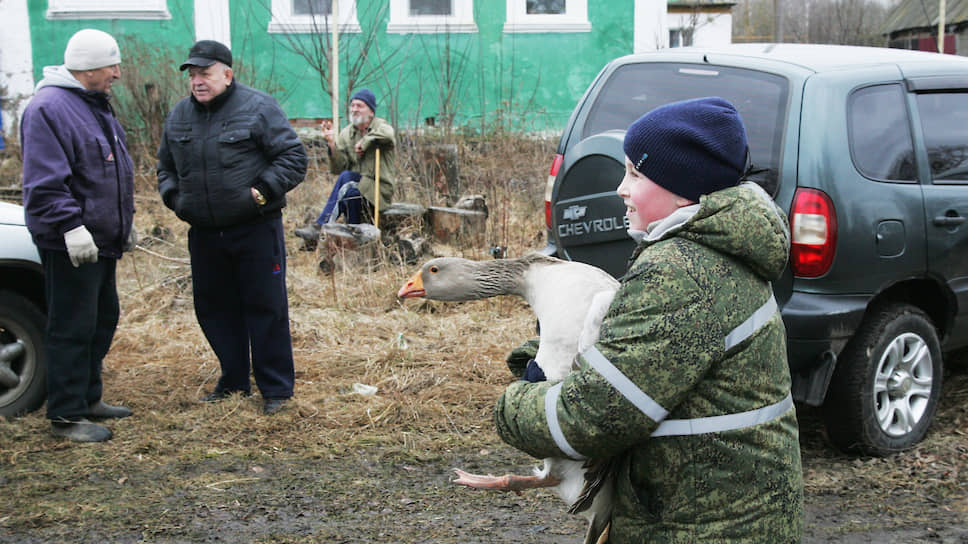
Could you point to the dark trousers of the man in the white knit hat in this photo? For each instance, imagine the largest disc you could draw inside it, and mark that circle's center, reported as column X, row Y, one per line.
column 82, row 314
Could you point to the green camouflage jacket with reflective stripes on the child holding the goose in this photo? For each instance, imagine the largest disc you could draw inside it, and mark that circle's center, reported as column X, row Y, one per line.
column 693, row 332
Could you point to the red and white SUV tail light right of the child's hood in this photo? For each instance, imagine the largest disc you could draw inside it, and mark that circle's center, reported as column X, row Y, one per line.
column 813, row 229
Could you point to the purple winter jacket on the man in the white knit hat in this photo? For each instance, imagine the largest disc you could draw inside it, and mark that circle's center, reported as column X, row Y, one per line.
column 77, row 170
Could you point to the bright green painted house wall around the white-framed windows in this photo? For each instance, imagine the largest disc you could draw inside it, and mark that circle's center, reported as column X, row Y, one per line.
column 482, row 79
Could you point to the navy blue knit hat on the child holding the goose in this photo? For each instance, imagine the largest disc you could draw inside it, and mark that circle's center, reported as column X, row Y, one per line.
column 692, row 148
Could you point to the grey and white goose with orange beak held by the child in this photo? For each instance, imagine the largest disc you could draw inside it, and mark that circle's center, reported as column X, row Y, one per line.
column 570, row 300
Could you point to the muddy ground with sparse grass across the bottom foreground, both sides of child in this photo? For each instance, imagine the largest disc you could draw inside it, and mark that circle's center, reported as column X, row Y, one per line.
column 390, row 493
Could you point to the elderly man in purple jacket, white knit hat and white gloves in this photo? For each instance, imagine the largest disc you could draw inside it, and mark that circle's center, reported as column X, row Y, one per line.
column 79, row 206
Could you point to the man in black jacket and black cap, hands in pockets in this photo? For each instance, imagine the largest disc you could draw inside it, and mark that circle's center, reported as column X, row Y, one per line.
column 228, row 156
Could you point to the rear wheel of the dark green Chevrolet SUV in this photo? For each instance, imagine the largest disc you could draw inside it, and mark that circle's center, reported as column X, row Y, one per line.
column 887, row 383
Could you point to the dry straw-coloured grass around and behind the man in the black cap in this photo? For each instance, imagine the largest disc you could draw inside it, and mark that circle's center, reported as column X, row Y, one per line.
column 433, row 375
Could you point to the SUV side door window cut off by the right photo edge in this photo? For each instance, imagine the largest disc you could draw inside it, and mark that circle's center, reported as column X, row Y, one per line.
column 944, row 117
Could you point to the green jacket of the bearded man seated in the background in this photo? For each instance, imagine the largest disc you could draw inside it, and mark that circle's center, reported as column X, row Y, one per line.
column 379, row 135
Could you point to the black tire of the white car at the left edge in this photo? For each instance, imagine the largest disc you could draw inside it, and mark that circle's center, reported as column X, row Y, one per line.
column 21, row 322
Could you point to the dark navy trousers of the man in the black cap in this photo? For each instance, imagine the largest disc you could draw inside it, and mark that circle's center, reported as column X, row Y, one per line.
column 239, row 285
